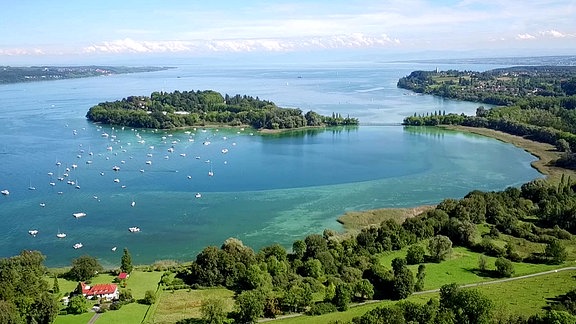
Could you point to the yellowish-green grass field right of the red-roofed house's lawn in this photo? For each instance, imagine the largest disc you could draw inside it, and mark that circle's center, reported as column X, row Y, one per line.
column 182, row 304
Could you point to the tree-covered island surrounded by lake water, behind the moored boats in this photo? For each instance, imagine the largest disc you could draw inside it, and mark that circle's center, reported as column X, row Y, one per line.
column 198, row 108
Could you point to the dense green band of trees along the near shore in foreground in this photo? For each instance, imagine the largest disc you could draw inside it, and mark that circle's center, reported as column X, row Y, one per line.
column 340, row 270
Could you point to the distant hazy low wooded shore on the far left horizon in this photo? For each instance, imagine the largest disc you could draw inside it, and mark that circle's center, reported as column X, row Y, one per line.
column 10, row 74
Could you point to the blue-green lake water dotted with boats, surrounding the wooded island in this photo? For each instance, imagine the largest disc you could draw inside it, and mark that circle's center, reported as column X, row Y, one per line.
column 265, row 189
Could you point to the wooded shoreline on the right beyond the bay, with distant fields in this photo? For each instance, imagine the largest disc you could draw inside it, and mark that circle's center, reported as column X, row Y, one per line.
column 538, row 103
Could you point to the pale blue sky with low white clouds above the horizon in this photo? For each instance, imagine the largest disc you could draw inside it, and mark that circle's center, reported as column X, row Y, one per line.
column 87, row 30
